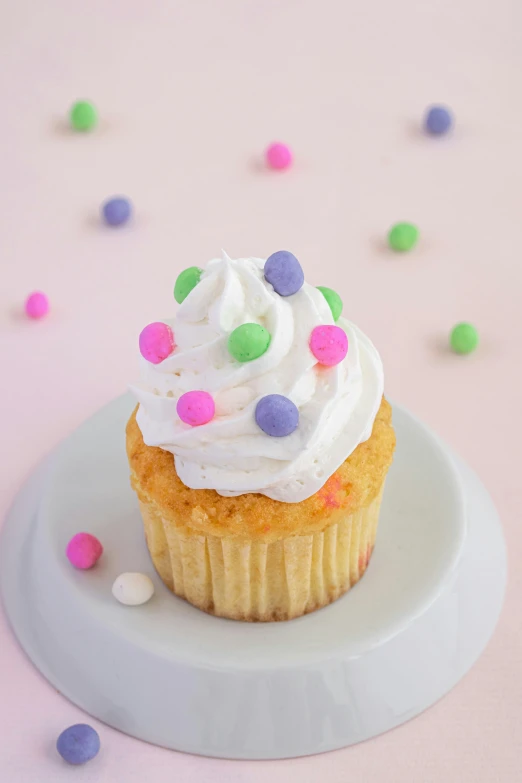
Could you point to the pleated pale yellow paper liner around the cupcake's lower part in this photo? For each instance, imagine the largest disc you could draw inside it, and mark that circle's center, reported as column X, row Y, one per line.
column 253, row 580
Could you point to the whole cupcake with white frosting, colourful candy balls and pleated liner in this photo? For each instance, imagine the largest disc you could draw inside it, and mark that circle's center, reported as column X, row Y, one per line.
column 261, row 442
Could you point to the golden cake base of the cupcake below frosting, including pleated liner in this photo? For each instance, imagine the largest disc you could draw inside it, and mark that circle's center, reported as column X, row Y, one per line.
column 250, row 557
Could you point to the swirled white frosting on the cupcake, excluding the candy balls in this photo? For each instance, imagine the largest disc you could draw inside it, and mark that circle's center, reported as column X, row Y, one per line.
column 231, row 454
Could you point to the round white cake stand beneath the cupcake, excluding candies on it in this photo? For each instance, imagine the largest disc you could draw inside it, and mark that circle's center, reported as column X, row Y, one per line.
column 173, row 676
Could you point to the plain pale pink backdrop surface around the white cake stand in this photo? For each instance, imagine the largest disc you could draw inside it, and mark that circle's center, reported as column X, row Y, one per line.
column 189, row 93
